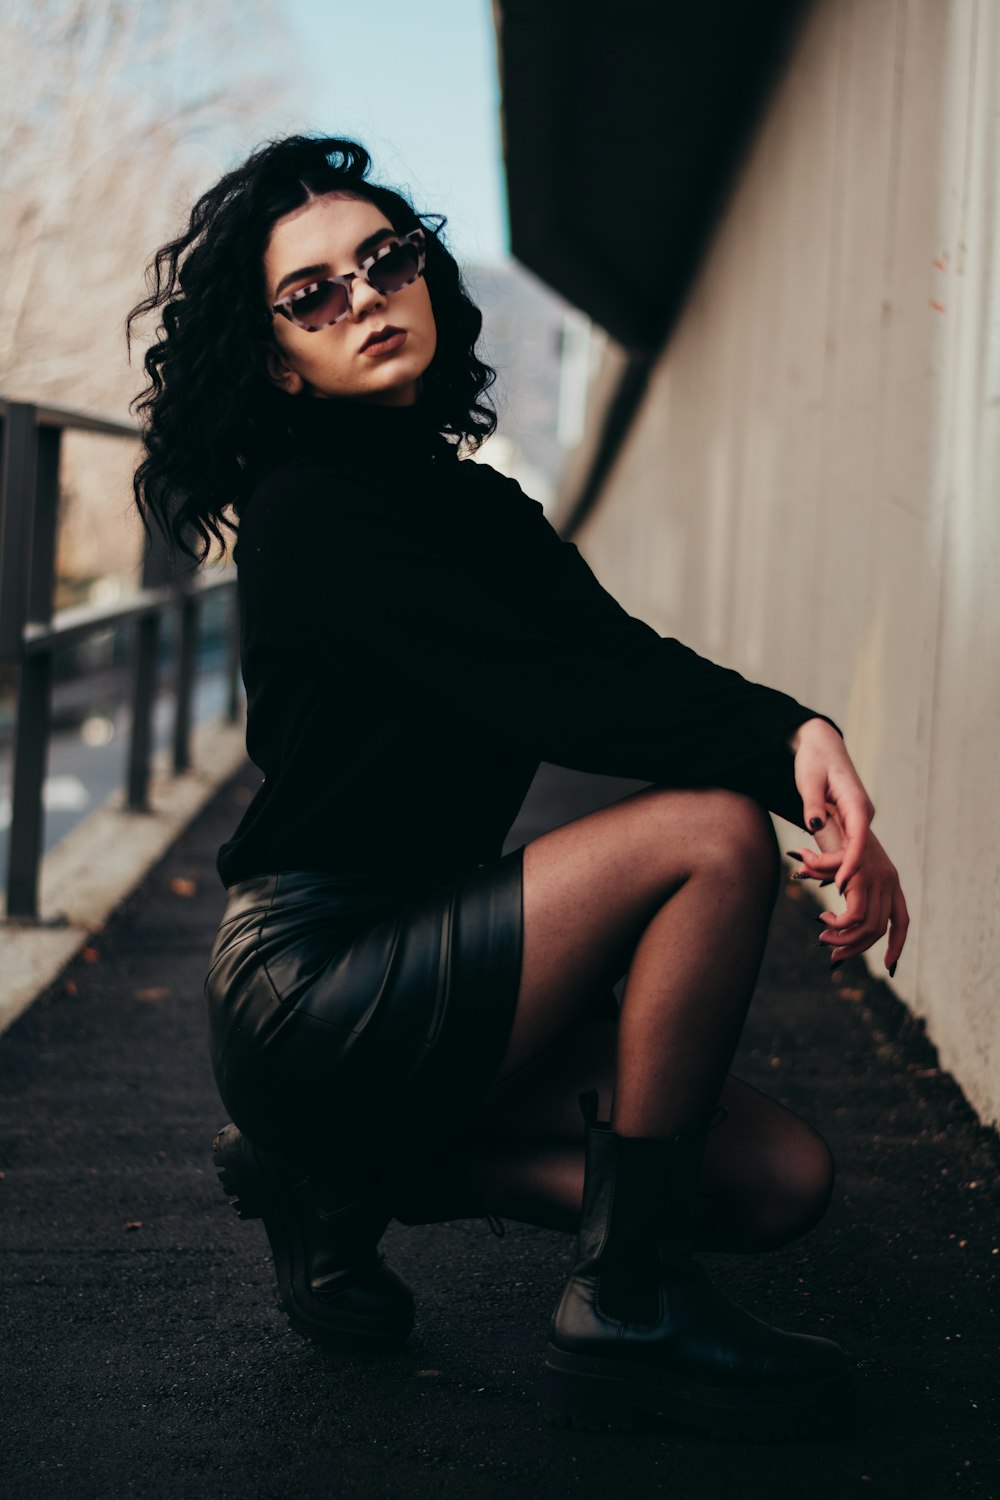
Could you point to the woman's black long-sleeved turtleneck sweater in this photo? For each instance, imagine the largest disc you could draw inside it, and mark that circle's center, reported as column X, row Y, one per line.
column 416, row 640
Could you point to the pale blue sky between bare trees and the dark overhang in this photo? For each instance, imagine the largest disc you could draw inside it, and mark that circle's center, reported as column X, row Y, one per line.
column 418, row 86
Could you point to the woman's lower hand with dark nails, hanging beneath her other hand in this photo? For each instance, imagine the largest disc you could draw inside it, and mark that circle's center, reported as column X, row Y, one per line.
column 875, row 899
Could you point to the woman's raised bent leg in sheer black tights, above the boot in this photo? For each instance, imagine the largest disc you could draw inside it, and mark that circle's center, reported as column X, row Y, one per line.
column 678, row 890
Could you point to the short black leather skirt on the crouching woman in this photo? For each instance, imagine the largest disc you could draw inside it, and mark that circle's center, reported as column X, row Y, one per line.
column 362, row 1018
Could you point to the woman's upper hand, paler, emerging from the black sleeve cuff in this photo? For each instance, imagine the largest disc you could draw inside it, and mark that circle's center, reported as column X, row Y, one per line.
column 827, row 779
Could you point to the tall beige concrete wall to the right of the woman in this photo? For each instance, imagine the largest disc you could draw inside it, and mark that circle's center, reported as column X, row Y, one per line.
column 810, row 491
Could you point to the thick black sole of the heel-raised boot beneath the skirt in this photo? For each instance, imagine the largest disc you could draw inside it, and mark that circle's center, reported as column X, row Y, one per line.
column 257, row 1193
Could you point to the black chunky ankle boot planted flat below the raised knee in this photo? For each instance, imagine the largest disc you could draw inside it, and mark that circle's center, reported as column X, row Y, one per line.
column 641, row 1330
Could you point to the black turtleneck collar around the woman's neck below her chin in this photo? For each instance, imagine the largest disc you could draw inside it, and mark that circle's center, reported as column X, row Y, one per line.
column 359, row 431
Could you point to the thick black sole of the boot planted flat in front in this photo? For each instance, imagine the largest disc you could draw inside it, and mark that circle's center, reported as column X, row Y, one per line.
column 593, row 1394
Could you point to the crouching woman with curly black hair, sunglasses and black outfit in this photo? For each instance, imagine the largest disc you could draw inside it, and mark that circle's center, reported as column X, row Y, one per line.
column 403, row 1019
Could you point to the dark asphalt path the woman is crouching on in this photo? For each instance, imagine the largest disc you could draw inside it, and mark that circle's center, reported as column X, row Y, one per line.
column 145, row 1355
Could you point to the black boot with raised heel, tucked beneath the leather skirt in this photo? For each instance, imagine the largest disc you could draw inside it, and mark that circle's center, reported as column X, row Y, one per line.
column 334, row 1283
